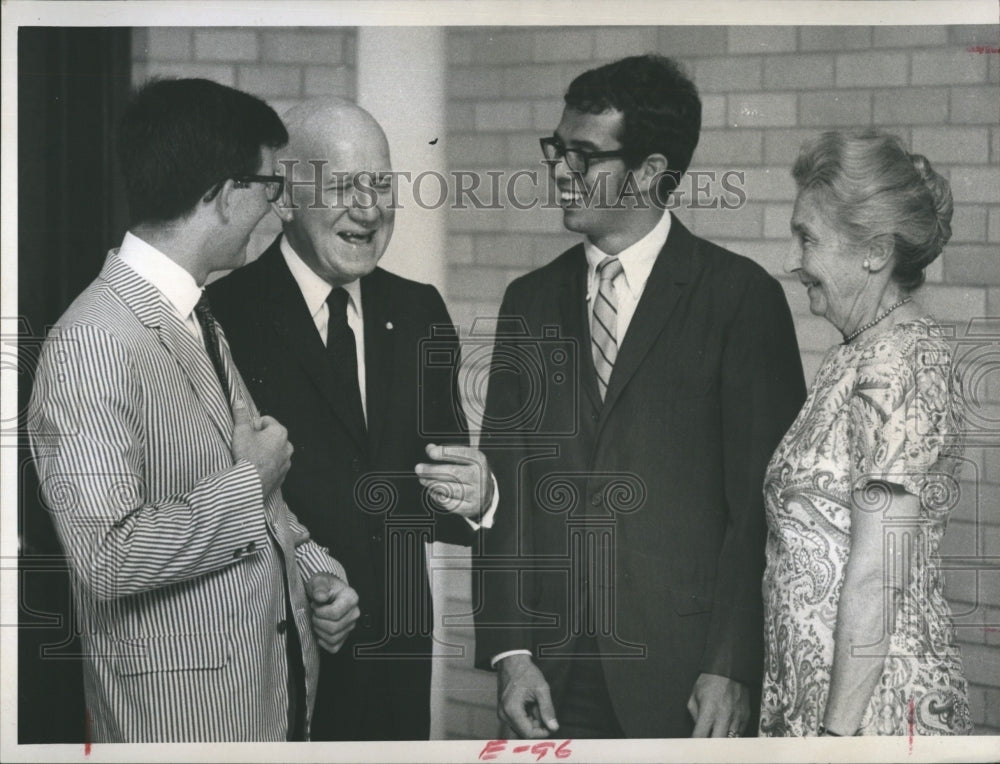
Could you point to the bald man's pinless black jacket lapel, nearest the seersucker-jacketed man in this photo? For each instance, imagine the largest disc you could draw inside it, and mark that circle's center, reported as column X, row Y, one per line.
column 289, row 318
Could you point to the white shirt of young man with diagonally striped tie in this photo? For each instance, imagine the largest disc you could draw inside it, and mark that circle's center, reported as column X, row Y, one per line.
column 637, row 263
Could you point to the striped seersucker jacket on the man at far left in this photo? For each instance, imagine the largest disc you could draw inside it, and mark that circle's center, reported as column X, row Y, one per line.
column 180, row 564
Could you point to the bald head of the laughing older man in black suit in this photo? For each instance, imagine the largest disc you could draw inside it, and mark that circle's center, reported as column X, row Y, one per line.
column 338, row 212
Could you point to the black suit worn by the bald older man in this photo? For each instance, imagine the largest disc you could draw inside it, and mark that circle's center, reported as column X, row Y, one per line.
column 356, row 490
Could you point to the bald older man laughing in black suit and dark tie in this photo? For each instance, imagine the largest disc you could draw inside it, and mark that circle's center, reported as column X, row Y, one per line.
column 331, row 345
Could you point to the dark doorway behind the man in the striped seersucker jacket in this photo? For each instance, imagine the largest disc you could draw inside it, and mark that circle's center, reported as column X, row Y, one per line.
column 73, row 84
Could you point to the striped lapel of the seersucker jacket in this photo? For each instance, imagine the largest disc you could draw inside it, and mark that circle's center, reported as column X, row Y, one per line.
column 152, row 308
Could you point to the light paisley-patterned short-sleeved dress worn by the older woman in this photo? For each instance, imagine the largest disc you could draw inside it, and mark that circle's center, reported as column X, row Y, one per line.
column 883, row 409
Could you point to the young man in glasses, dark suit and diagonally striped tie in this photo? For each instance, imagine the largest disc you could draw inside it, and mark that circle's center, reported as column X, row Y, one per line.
column 630, row 490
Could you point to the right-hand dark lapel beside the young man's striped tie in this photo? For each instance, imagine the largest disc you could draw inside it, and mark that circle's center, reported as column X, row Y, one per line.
column 664, row 287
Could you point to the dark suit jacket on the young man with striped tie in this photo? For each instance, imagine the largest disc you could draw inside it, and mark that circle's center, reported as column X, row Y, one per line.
column 647, row 507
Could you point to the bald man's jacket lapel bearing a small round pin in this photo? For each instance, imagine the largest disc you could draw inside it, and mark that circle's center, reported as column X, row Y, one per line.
column 380, row 354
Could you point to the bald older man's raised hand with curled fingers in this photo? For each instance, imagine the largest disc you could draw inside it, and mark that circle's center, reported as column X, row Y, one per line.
column 459, row 481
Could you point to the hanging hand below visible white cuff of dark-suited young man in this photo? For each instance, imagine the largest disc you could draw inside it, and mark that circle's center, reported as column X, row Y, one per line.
column 523, row 699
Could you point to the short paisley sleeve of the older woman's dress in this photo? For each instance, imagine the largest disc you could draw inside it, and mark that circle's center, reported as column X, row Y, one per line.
column 903, row 413
